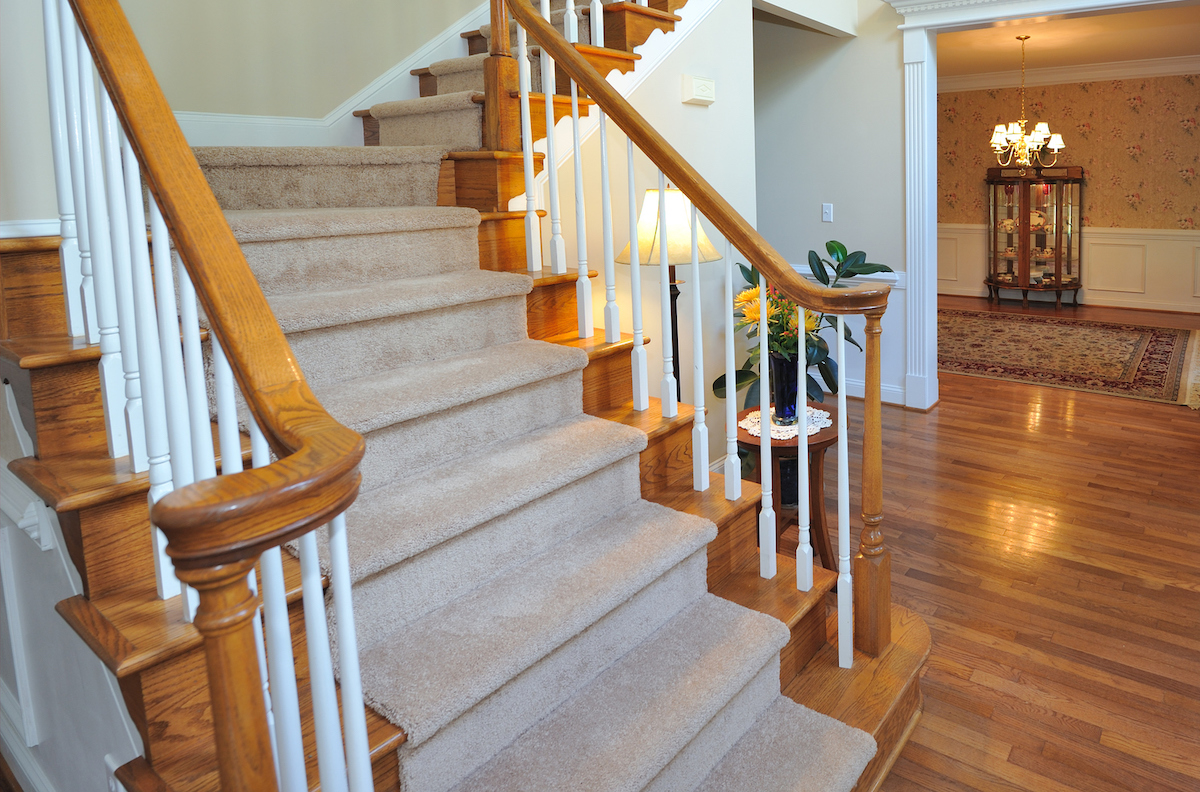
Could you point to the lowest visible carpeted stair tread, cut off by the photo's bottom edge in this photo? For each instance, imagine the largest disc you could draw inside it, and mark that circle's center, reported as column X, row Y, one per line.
column 794, row 749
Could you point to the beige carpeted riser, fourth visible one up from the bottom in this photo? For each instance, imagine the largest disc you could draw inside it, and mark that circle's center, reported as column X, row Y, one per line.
column 398, row 452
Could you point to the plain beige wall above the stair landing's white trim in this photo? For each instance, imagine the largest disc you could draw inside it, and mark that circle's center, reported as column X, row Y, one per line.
column 292, row 58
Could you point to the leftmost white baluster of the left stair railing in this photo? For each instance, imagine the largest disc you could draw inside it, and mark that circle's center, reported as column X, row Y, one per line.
column 69, row 249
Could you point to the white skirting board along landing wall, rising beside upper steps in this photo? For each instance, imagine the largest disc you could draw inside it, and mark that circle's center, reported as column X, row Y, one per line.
column 339, row 127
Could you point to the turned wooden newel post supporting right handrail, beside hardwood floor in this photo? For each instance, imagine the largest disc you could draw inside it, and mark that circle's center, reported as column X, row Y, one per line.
column 873, row 565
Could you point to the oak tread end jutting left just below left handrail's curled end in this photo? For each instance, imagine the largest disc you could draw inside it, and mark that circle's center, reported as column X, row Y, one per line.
column 130, row 634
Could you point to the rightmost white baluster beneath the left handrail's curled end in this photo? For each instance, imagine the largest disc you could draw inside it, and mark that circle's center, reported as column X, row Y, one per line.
column 358, row 749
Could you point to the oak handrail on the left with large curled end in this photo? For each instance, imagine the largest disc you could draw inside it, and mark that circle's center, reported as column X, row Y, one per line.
column 316, row 478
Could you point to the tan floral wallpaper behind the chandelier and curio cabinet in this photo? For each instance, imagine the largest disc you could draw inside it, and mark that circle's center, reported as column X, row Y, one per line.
column 1137, row 140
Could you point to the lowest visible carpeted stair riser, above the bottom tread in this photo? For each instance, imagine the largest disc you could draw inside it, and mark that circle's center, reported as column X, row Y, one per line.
column 703, row 754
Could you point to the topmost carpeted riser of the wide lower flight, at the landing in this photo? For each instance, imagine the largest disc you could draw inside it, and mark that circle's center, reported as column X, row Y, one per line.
column 326, row 187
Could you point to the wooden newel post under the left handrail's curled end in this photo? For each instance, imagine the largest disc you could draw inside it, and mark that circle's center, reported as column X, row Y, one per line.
column 239, row 715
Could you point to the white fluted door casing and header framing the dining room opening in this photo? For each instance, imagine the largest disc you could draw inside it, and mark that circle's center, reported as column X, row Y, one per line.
column 923, row 20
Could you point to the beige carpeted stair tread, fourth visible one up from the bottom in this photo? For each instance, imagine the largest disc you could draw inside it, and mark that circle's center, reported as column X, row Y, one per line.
column 440, row 503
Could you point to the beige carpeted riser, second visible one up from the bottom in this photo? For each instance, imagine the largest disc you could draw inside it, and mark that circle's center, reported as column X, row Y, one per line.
column 461, row 747
